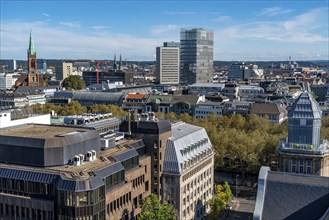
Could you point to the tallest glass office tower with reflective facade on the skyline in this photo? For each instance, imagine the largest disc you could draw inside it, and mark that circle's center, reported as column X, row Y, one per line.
column 196, row 56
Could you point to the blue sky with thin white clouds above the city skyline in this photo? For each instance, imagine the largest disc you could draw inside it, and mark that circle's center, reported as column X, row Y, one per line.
column 243, row 30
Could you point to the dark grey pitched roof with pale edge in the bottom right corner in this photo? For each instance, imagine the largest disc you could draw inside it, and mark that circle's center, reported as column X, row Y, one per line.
column 293, row 196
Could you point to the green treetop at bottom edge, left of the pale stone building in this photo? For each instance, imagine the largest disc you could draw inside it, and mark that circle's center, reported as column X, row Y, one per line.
column 152, row 209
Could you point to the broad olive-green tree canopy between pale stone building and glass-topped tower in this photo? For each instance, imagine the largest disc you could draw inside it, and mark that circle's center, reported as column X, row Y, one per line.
column 247, row 143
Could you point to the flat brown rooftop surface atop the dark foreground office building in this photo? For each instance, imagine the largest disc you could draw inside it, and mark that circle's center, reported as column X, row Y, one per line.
column 42, row 131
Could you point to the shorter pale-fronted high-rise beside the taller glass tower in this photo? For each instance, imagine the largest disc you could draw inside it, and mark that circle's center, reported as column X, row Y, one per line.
column 167, row 63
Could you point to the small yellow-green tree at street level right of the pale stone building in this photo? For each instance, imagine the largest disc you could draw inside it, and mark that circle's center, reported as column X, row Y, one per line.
column 221, row 198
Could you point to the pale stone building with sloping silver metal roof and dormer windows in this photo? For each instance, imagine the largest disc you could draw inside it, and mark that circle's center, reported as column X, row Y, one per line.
column 188, row 171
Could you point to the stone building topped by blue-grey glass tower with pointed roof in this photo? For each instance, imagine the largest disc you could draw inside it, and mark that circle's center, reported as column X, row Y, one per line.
column 303, row 151
